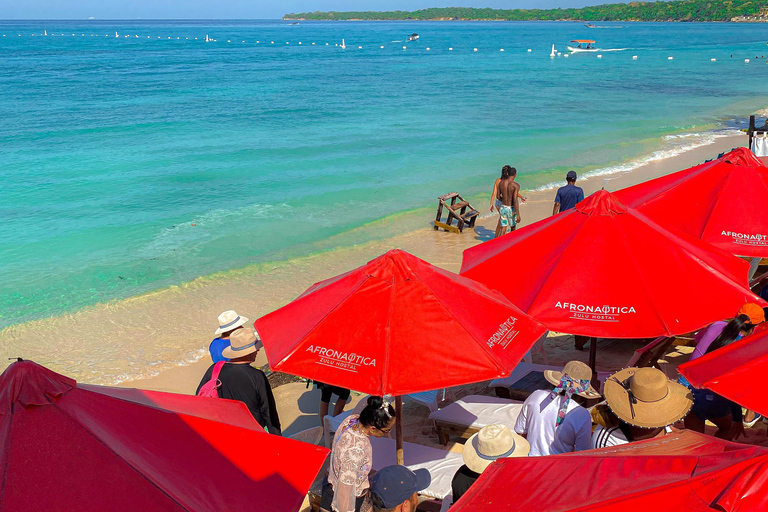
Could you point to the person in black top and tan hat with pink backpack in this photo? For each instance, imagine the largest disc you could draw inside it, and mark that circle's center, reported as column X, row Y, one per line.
column 240, row 381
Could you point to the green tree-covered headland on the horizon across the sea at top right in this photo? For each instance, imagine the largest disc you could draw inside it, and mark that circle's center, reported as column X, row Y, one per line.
column 679, row 10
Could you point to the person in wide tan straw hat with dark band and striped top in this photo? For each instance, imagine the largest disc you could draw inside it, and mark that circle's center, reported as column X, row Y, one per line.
column 644, row 402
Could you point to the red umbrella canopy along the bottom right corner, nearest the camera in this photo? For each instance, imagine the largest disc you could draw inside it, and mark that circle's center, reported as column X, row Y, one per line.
column 680, row 471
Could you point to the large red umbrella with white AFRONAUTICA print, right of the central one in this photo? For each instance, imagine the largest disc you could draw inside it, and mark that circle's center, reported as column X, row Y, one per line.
column 606, row 270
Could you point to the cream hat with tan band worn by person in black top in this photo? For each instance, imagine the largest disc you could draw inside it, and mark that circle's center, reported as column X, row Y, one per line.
column 491, row 443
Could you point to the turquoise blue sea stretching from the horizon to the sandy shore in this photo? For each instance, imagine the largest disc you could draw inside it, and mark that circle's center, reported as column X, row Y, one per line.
column 129, row 164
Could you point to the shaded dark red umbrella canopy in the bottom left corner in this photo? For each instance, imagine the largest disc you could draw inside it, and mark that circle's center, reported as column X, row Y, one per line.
column 83, row 448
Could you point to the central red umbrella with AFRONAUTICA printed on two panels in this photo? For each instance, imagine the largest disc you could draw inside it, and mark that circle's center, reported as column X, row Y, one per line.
column 398, row 325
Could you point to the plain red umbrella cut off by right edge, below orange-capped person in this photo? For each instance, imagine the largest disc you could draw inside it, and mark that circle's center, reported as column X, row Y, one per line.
column 734, row 371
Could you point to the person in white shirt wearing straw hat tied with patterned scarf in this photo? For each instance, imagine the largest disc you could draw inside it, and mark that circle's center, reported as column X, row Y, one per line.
column 552, row 421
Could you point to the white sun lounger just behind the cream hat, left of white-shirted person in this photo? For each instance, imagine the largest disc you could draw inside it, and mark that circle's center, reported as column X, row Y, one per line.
column 468, row 415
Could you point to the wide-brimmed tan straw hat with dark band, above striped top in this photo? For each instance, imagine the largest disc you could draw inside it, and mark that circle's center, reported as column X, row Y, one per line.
column 645, row 397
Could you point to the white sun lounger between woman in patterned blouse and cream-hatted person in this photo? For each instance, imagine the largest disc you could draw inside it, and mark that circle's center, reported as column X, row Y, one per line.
column 441, row 464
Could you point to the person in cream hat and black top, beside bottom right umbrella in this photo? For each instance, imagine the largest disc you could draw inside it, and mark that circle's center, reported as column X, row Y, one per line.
column 490, row 443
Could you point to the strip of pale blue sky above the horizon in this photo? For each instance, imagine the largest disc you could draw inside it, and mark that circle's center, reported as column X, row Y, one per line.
column 240, row 9
